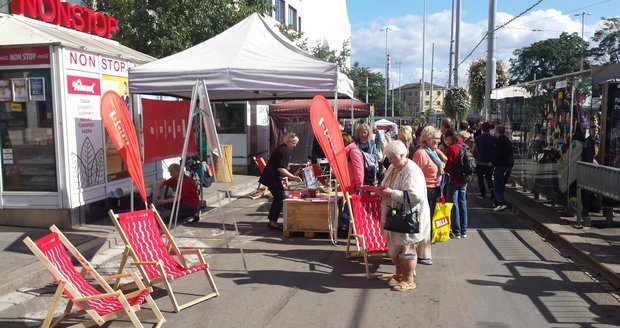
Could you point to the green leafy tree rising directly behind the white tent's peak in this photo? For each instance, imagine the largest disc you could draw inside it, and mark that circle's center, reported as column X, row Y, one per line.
column 164, row 27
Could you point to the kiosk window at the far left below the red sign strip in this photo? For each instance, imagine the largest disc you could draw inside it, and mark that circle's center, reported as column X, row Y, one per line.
column 26, row 131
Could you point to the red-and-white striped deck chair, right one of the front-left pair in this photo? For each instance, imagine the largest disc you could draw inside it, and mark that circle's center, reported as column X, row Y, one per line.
column 141, row 232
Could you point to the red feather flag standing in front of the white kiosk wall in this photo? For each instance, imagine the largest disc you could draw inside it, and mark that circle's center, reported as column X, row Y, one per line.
column 119, row 125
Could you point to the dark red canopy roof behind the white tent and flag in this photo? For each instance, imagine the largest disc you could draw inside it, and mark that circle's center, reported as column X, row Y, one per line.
column 301, row 108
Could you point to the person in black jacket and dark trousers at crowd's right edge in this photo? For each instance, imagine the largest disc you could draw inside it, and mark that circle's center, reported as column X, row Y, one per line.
column 503, row 160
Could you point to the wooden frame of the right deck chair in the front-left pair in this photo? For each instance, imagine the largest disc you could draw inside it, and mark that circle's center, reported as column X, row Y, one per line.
column 164, row 277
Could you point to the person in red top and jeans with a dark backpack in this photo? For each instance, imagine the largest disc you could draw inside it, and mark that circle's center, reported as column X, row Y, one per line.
column 457, row 189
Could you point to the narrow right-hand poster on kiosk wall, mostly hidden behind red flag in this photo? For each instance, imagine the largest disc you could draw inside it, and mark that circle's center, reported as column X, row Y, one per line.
column 116, row 169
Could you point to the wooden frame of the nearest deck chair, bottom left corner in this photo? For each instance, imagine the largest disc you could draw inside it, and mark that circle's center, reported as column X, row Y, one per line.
column 77, row 298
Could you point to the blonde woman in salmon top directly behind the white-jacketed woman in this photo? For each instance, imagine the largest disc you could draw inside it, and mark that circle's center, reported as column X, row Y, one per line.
column 432, row 162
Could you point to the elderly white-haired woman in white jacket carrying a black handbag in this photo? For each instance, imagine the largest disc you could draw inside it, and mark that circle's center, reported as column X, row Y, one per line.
column 402, row 176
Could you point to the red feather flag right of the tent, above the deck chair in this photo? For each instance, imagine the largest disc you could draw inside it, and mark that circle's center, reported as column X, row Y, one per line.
column 327, row 133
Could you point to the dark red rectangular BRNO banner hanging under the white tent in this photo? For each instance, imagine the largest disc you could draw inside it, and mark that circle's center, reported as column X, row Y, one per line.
column 165, row 123
